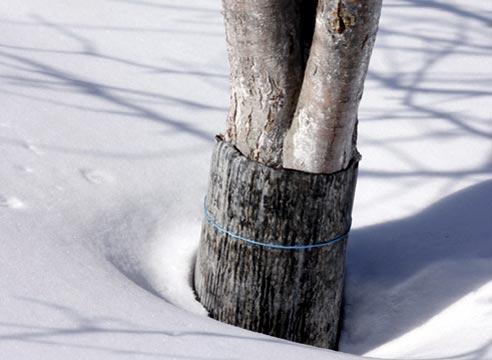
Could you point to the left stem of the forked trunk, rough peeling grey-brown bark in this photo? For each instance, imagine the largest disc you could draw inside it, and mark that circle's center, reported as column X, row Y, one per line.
column 265, row 48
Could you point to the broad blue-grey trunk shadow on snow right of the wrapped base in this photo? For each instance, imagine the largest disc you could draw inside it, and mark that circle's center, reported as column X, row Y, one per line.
column 418, row 266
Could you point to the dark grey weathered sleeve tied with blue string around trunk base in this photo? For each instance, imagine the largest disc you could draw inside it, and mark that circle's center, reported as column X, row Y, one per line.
column 292, row 294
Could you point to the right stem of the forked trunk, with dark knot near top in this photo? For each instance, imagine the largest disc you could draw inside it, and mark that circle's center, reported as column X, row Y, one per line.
column 323, row 132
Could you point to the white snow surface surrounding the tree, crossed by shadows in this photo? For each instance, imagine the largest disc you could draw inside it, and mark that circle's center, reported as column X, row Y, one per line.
column 108, row 112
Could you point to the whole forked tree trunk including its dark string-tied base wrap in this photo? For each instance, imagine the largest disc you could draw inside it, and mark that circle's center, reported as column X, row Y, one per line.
column 278, row 208
